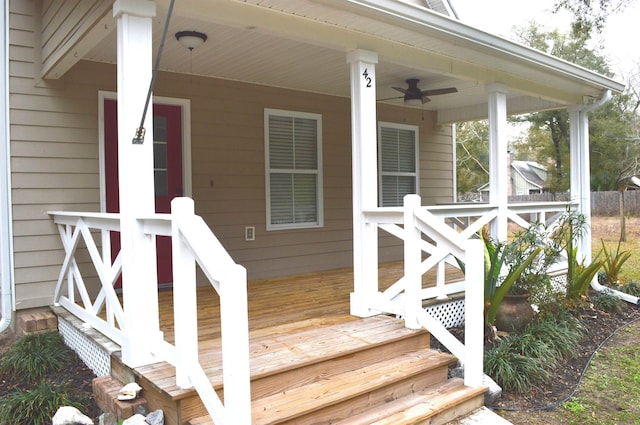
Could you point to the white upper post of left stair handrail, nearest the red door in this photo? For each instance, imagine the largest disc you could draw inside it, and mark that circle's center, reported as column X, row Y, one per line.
column 185, row 307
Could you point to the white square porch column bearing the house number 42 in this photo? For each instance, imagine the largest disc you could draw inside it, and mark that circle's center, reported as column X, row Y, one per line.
column 365, row 178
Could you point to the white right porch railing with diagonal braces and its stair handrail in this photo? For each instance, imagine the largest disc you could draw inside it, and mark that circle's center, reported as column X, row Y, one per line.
column 442, row 234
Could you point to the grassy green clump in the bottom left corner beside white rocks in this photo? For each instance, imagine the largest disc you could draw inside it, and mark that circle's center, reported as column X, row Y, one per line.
column 35, row 406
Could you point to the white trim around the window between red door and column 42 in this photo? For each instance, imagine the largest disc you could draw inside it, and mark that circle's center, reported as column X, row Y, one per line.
column 268, row 170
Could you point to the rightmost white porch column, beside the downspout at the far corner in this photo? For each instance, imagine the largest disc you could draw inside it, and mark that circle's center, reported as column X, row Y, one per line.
column 580, row 173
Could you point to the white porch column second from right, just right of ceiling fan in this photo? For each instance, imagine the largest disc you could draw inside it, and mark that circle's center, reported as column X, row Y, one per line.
column 499, row 174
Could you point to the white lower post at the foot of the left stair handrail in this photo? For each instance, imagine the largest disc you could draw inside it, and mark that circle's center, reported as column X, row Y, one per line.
column 235, row 346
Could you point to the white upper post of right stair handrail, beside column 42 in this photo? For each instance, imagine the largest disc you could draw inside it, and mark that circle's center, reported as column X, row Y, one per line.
column 412, row 260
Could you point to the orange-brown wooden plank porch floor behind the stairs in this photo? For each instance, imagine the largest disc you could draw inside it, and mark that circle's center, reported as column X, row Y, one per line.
column 282, row 301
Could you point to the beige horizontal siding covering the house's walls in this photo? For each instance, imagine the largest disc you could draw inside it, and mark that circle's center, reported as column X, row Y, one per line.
column 55, row 165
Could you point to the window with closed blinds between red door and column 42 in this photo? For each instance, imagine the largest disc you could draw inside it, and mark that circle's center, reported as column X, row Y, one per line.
column 293, row 147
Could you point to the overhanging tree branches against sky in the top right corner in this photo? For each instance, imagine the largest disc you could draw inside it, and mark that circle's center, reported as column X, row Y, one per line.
column 590, row 15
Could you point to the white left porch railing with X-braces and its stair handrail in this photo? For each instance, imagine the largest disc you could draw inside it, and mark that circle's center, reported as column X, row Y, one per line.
column 192, row 243
